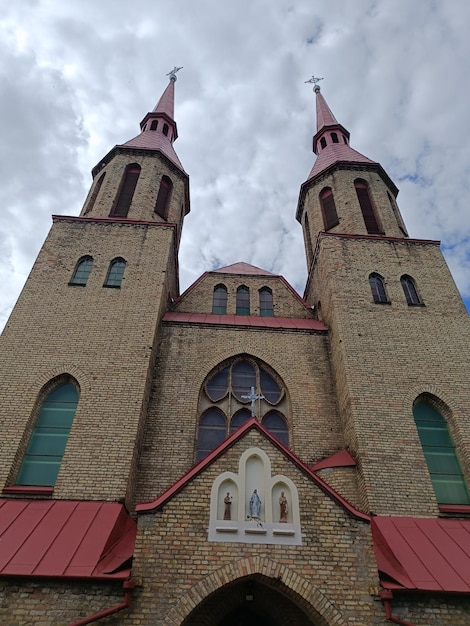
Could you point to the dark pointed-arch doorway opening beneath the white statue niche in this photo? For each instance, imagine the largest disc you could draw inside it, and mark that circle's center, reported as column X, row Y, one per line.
column 254, row 601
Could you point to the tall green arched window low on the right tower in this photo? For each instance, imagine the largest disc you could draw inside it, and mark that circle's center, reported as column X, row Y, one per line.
column 439, row 451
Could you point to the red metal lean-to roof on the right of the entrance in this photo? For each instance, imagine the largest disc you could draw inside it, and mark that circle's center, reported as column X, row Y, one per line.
column 422, row 554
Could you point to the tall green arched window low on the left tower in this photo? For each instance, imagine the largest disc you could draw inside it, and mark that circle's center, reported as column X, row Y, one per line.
column 43, row 457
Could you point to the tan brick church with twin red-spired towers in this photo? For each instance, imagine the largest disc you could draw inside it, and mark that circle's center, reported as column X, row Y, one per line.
column 237, row 454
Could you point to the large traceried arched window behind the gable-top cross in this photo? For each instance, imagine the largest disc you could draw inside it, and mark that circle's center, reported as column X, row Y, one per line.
column 224, row 404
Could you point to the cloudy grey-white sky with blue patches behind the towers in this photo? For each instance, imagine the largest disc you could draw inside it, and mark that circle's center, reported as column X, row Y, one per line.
column 76, row 78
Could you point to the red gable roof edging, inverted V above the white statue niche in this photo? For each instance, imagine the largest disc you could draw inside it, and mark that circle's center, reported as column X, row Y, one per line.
column 146, row 507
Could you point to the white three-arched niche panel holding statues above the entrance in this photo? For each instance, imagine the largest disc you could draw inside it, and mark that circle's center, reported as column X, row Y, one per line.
column 230, row 516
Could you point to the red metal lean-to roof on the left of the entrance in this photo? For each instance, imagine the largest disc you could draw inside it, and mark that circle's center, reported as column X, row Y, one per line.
column 64, row 538
